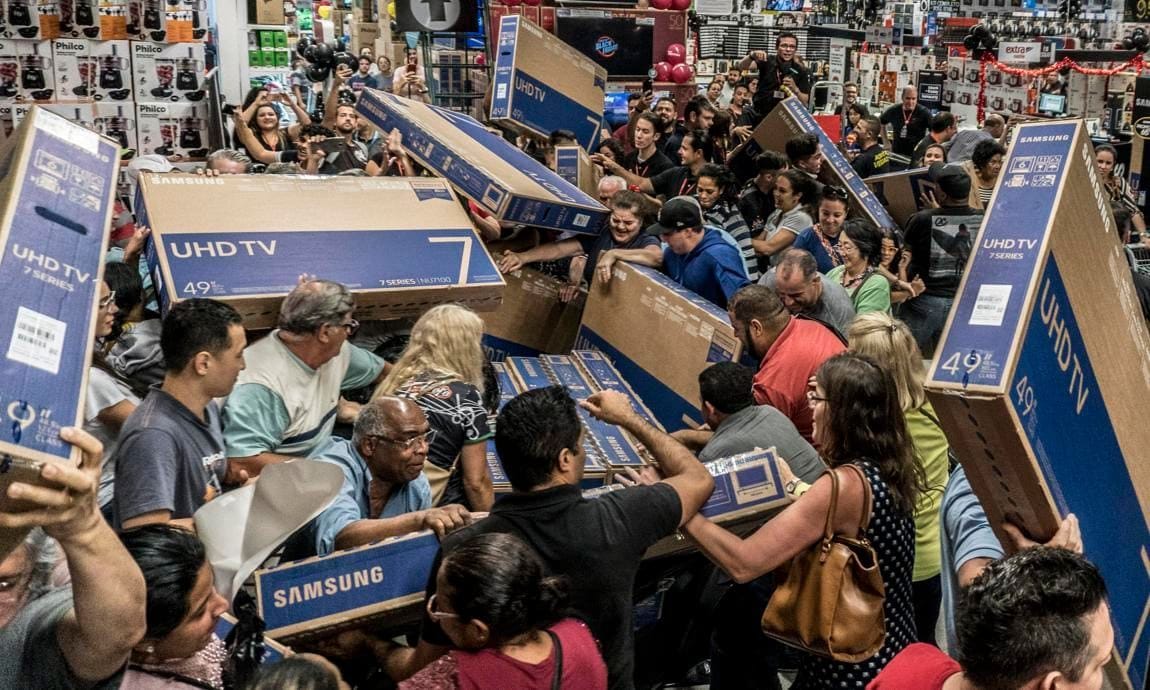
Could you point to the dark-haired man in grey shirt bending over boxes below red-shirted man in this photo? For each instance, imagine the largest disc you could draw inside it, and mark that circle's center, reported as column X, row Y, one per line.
column 740, row 426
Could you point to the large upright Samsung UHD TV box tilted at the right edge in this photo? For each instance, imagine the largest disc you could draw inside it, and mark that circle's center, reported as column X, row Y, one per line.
column 1042, row 374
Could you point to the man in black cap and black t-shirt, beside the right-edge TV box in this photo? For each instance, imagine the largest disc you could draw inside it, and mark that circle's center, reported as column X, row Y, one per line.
column 940, row 241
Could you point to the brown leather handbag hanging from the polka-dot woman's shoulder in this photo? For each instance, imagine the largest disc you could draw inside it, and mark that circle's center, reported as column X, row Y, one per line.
column 831, row 604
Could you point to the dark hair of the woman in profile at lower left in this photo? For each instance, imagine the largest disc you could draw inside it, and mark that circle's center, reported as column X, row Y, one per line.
column 171, row 559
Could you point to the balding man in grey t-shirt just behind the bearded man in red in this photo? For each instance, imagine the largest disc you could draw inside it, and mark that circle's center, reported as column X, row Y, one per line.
column 803, row 292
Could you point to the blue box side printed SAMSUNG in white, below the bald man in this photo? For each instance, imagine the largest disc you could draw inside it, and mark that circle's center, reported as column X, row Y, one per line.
column 379, row 584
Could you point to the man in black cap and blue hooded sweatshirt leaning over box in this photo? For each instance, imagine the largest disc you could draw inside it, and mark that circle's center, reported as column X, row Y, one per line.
column 700, row 259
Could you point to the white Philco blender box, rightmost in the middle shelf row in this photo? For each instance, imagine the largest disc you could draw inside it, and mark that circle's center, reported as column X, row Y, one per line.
column 173, row 73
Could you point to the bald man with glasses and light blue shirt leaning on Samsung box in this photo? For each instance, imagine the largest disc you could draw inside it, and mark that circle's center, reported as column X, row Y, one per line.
column 385, row 492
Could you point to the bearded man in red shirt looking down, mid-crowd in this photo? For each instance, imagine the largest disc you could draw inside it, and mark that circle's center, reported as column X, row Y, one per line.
column 789, row 351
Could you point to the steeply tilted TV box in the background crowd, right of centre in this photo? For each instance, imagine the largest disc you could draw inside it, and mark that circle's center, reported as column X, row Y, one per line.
column 791, row 118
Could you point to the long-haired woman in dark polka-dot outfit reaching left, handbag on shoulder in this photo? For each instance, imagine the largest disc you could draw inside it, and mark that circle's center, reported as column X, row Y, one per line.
column 862, row 432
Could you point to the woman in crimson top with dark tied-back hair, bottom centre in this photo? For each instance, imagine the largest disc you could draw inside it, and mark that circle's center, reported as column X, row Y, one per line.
column 505, row 622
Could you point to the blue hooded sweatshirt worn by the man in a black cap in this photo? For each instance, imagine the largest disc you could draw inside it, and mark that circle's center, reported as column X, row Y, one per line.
column 714, row 270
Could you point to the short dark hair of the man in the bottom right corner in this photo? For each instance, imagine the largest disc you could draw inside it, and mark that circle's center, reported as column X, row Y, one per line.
column 1024, row 617
